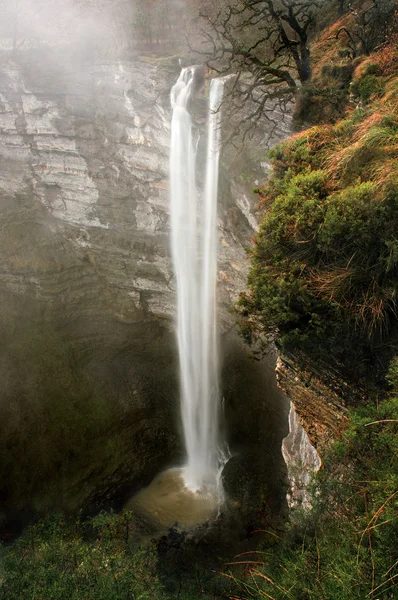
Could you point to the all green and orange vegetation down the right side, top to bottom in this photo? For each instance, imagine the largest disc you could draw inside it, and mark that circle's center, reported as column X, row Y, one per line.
column 324, row 279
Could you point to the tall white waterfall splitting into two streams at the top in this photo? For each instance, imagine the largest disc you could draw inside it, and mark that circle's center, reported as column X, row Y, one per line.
column 194, row 251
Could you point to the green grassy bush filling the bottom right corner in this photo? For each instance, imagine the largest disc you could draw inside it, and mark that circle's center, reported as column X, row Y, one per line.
column 344, row 548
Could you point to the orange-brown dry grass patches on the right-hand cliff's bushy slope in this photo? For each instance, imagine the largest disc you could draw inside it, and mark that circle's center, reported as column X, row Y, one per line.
column 351, row 152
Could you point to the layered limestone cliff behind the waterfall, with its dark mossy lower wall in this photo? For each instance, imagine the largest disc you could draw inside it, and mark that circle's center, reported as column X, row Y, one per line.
column 85, row 265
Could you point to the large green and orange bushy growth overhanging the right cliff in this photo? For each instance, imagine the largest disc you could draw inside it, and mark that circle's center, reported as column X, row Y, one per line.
column 325, row 262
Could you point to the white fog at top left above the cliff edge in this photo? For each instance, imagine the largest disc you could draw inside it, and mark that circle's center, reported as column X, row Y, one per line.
column 105, row 28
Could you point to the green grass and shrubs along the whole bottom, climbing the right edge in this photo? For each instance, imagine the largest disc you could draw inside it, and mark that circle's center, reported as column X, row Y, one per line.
column 344, row 548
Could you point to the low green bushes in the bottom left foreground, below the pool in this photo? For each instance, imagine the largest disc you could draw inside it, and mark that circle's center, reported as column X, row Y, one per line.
column 67, row 558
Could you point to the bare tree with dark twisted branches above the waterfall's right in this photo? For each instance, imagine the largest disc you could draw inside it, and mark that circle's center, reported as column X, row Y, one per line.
column 265, row 43
